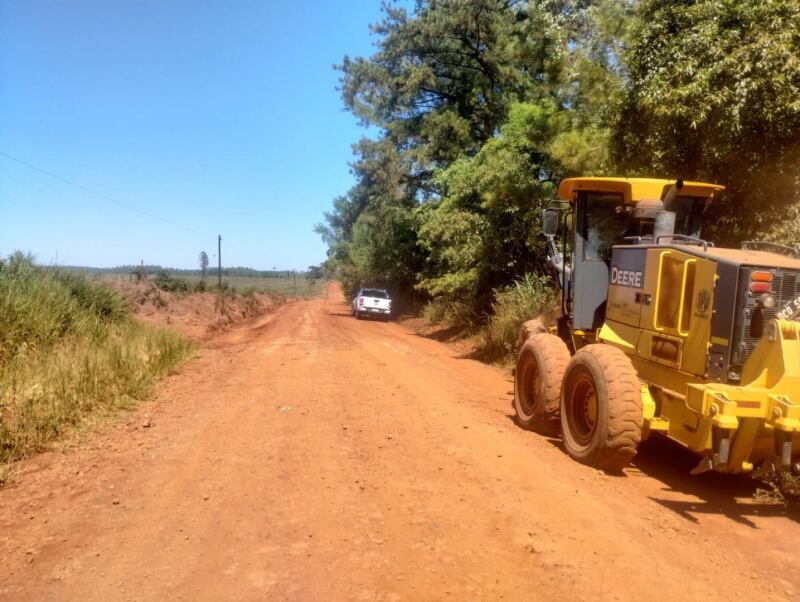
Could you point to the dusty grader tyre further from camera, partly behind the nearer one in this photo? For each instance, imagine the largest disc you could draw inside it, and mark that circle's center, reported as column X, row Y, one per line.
column 541, row 363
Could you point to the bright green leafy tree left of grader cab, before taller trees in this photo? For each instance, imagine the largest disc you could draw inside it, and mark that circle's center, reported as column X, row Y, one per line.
column 482, row 235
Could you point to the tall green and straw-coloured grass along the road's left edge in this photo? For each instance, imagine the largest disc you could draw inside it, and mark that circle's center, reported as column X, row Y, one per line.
column 68, row 348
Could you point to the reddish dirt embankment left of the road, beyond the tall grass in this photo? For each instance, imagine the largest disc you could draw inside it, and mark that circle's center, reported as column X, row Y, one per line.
column 196, row 315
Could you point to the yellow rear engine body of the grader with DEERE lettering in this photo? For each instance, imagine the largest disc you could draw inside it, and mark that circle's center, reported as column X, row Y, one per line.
column 704, row 327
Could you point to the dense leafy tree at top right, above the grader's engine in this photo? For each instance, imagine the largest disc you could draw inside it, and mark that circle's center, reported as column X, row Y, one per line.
column 714, row 93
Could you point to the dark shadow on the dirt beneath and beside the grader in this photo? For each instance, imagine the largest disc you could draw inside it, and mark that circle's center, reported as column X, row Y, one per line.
column 710, row 493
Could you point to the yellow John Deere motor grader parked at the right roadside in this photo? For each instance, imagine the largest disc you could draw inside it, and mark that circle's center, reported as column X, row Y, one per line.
column 663, row 332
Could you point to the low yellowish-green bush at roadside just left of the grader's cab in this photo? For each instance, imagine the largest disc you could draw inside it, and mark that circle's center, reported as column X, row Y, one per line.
column 524, row 300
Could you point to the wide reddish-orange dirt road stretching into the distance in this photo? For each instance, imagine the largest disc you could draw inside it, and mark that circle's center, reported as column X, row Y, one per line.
column 310, row 456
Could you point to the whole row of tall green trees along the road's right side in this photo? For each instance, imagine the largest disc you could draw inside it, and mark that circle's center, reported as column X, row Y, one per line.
column 483, row 106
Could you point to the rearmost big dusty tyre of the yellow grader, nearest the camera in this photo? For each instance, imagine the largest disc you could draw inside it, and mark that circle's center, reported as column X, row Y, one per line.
column 601, row 408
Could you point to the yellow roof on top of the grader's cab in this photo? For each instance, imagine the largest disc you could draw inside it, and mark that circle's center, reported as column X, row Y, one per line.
column 634, row 190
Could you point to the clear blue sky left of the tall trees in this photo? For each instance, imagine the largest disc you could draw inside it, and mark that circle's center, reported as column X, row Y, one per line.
column 219, row 116
